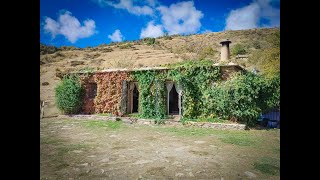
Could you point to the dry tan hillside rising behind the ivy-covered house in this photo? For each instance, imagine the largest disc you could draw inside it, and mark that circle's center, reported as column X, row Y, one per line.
column 155, row 52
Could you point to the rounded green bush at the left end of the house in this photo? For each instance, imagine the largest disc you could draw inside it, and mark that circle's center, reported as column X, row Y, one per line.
column 69, row 94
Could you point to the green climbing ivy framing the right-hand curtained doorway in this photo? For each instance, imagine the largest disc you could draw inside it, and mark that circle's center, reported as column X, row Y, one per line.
column 192, row 77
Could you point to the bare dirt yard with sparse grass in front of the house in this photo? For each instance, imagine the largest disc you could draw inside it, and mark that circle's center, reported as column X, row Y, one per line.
column 88, row 149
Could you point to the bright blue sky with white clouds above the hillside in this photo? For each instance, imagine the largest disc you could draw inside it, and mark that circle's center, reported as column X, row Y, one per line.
column 83, row 23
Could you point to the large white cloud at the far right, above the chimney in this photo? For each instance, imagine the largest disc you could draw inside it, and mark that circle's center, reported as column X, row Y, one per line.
column 250, row 16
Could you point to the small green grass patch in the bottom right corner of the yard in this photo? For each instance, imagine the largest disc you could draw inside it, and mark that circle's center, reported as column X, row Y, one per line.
column 268, row 165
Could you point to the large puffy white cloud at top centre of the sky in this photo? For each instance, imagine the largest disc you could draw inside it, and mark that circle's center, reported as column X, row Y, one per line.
column 181, row 18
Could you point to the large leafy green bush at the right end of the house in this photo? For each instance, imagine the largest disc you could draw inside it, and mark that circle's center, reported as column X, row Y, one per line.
column 243, row 97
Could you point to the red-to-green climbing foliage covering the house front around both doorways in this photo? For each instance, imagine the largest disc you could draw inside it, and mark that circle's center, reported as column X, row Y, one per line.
column 242, row 97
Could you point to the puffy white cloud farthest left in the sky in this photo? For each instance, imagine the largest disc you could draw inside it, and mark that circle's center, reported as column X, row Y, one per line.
column 70, row 27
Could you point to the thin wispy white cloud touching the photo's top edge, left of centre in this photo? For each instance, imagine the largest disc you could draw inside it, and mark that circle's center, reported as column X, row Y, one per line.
column 128, row 5
